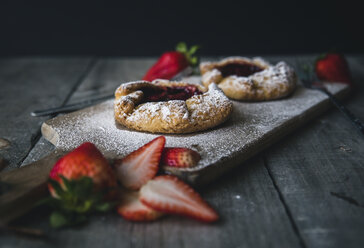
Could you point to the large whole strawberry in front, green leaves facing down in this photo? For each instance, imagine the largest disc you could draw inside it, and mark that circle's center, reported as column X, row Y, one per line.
column 80, row 183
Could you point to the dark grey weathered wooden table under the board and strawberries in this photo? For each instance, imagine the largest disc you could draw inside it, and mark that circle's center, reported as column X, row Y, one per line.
column 305, row 191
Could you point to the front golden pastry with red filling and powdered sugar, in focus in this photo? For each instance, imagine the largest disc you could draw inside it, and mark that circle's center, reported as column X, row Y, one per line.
column 164, row 106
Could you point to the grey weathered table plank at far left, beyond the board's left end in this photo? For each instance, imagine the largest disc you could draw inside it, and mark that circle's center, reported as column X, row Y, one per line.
column 28, row 84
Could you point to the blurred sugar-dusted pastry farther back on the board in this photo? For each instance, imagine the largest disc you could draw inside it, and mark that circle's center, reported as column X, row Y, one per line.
column 250, row 79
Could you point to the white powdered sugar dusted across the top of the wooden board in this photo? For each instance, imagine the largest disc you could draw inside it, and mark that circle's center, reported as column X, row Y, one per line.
column 248, row 124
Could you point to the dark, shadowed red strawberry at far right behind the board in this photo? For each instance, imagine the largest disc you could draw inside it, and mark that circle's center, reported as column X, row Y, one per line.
column 333, row 67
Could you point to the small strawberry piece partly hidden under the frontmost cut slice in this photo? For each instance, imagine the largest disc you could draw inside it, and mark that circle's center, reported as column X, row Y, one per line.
column 132, row 209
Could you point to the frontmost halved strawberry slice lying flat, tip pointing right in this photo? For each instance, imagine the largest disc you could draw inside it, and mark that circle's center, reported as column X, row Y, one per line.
column 168, row 194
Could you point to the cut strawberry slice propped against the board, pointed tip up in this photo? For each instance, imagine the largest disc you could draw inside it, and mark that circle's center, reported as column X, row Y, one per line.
column 141, row 165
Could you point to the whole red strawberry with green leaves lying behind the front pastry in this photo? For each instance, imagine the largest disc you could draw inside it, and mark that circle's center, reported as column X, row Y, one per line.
column 172, row 62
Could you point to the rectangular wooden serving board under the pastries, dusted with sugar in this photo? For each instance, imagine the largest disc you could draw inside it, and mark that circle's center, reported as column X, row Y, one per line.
column 251, row 128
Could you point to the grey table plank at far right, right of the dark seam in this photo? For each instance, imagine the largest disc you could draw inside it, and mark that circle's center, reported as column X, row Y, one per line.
column 319, row 173
